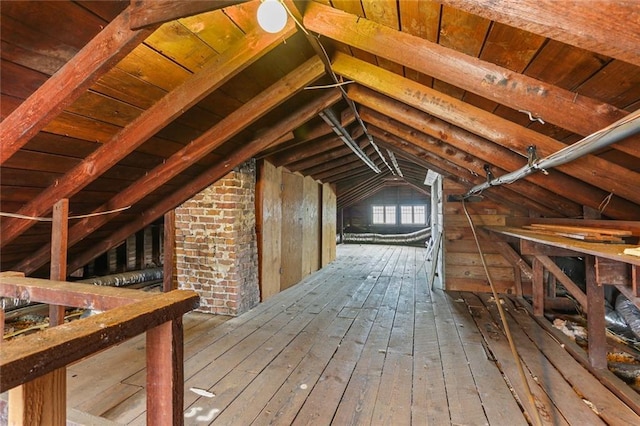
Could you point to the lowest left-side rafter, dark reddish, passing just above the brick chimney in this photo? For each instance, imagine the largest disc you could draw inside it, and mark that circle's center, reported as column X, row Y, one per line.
column 210, row 176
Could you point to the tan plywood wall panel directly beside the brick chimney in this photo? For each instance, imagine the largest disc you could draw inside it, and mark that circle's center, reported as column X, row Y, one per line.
column 268, row 227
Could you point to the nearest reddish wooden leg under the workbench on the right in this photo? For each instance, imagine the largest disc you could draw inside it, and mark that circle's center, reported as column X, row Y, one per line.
column 595, row 316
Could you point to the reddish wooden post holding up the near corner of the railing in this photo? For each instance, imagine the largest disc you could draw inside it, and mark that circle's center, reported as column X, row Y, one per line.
column 165, row 374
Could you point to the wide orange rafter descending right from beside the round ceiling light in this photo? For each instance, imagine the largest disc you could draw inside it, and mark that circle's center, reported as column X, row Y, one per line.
column 553, row 104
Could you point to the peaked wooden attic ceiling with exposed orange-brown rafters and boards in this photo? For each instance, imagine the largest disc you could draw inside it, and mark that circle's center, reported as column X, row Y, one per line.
column 112, row 104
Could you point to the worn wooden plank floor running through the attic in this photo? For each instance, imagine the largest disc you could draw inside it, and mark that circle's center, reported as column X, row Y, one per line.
column 362, row 342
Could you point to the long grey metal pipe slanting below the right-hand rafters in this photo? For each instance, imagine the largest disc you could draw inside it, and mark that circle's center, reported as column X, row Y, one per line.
column 621, row 129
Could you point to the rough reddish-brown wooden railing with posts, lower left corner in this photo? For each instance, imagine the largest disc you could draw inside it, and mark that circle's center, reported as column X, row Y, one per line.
column 33, row 367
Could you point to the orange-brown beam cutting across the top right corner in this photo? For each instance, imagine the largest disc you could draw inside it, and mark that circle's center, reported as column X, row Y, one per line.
column 611, row 28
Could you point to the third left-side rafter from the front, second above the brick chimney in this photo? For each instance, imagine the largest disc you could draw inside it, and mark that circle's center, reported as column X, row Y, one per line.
column 180, row 161
